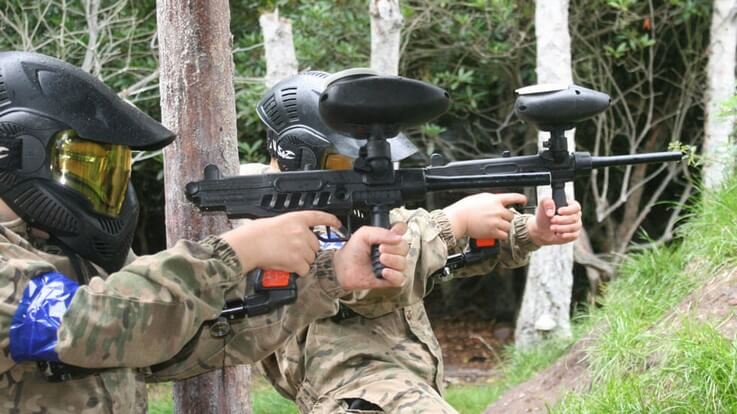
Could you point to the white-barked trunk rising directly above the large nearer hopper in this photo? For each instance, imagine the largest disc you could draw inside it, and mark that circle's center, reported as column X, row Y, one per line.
column 386, row 28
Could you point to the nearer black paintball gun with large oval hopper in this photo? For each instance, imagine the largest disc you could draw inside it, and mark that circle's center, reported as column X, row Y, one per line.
column 367, row 107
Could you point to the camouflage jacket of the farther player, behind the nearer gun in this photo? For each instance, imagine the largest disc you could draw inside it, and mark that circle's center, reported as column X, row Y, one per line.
column 388, row 353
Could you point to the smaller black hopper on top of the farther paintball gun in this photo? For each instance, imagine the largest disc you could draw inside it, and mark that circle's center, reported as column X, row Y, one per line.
column 558, row 107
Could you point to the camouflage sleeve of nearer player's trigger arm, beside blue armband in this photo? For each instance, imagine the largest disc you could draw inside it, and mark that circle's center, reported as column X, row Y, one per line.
column 150, row 309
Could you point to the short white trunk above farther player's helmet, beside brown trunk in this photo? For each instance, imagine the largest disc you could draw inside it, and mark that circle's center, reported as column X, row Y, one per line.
column 281, row 60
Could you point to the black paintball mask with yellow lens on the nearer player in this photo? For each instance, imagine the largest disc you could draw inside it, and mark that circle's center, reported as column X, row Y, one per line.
column 65, row 155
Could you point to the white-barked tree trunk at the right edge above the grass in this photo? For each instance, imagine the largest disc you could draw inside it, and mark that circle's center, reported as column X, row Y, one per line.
column 719, row 150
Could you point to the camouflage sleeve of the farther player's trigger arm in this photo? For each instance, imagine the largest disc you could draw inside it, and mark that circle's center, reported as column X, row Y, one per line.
column 428, row 236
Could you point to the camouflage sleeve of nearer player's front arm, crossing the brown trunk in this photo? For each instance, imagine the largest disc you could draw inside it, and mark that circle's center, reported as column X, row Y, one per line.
column 253, row 338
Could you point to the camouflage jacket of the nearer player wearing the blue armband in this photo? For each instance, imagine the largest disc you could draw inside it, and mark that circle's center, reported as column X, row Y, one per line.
column 140, row 316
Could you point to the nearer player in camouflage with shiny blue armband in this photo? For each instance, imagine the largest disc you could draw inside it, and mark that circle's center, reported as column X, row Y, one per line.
column 73, row 296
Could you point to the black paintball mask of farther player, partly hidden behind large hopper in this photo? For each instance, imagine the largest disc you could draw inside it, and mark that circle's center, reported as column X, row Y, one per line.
column 298, row 138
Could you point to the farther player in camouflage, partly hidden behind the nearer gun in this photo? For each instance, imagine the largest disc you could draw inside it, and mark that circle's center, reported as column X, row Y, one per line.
column 379, row 353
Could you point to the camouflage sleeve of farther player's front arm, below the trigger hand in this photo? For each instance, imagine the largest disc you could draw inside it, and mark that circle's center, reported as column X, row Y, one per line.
column 514, row 252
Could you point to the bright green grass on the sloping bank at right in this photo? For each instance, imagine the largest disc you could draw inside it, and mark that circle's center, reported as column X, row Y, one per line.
column 640, row 366
